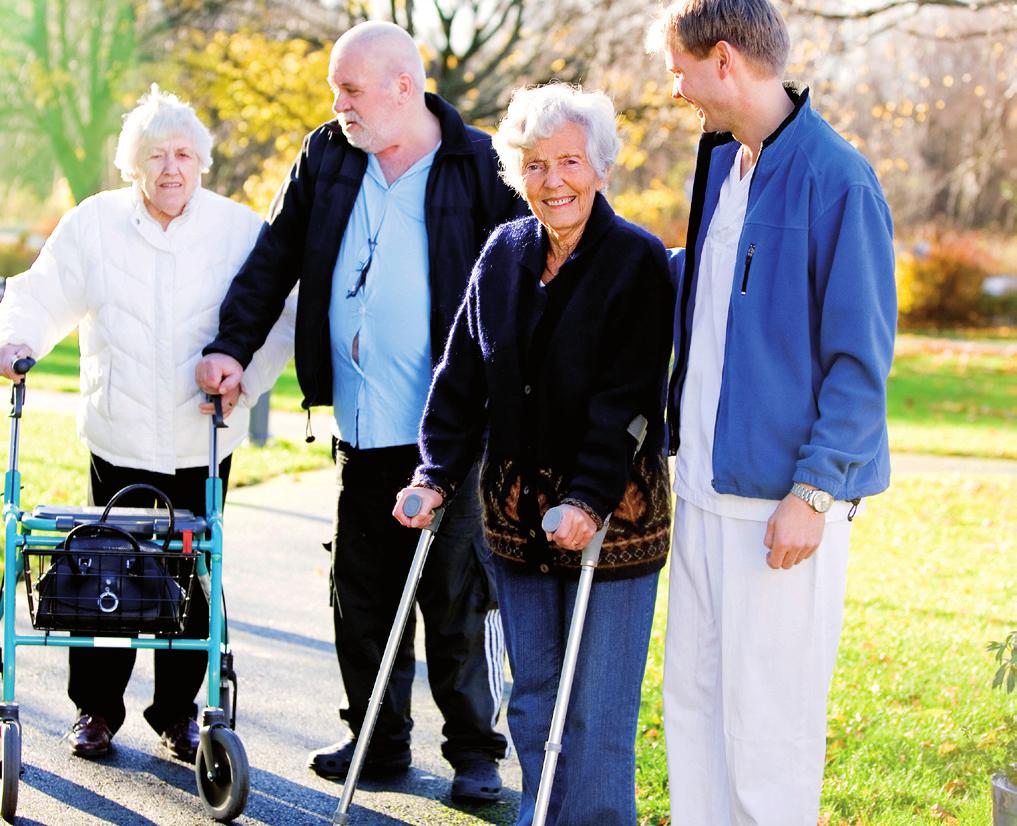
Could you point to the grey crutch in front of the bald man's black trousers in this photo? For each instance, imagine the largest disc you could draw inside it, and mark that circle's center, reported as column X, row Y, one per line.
column 411, row 507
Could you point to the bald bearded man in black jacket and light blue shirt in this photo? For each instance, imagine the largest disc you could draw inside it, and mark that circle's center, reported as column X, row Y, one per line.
column 380, row 221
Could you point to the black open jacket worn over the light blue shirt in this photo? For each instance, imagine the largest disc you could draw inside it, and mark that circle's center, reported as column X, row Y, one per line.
column 465, row 200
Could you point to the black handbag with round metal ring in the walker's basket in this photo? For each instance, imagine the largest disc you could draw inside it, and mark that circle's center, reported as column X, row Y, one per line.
column 105, row 581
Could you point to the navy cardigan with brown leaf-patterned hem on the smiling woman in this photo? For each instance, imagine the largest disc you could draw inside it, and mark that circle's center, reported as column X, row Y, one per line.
column 562, row 433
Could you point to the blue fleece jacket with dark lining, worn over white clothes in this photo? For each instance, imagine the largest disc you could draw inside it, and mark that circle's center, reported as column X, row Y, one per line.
column 812, row 320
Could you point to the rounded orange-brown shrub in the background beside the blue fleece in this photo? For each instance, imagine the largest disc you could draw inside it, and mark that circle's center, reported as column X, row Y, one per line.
column 939, row 281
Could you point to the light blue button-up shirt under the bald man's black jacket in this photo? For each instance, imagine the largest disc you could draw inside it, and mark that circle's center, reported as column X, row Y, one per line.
column 379, row 400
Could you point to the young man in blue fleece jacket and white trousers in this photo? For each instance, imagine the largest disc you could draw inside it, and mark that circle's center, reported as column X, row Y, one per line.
column 785, row 334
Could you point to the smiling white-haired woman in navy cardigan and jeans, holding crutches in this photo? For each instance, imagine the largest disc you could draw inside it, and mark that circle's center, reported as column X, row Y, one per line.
column 562, row 340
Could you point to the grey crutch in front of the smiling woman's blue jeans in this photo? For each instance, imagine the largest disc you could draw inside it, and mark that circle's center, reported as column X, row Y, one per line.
column 591, row 556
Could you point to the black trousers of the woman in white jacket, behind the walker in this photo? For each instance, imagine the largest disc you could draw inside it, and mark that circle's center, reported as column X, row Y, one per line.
column 99, row 677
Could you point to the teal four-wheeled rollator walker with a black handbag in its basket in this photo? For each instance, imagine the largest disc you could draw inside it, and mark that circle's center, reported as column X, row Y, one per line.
column 118, row 549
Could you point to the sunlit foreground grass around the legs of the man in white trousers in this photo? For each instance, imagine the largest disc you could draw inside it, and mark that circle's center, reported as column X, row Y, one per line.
column 915, row 731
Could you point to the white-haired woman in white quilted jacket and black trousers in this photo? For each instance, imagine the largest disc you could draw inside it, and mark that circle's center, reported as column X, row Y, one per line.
column 141, row 272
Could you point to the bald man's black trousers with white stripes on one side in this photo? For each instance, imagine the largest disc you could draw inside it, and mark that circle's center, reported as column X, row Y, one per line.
column 372, row 556
